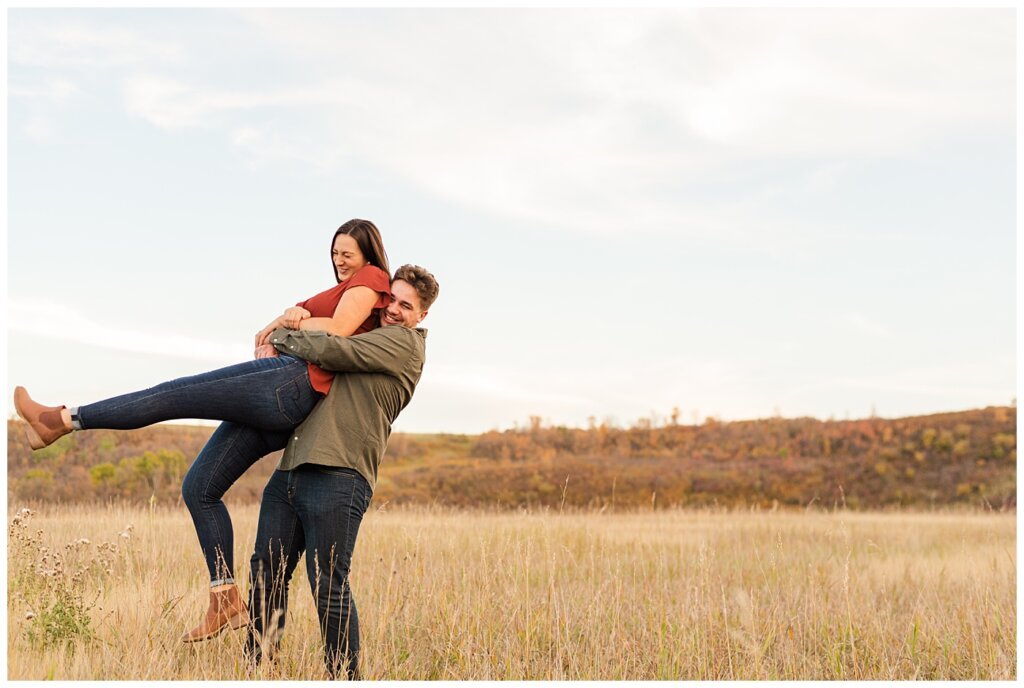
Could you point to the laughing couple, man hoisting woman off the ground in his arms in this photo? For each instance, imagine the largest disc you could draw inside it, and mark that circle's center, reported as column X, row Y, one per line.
column 329, row 378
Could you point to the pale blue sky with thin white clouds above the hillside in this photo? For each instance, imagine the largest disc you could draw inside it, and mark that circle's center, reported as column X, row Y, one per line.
column 740, row 213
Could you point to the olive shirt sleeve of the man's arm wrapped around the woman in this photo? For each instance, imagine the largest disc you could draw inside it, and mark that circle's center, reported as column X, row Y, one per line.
column 375, row 352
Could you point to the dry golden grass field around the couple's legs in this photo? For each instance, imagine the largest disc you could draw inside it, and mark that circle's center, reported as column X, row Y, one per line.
column 104, row 593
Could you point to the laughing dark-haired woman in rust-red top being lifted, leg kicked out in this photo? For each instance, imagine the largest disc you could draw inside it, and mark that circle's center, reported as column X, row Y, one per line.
column 262, row 402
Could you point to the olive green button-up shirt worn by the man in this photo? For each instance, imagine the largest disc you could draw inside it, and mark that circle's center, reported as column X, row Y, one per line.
column 352, row 425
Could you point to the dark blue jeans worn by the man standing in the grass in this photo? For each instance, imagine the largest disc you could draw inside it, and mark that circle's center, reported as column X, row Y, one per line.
column 317, row 511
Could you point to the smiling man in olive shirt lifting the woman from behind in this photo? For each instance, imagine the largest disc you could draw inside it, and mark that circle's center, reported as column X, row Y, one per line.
column 316, row 500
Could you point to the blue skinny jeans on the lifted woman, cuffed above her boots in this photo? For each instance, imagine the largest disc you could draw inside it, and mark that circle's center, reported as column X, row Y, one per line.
column 262, row 401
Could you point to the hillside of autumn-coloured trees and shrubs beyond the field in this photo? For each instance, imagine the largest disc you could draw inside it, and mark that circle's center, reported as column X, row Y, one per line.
column 927, row 461
